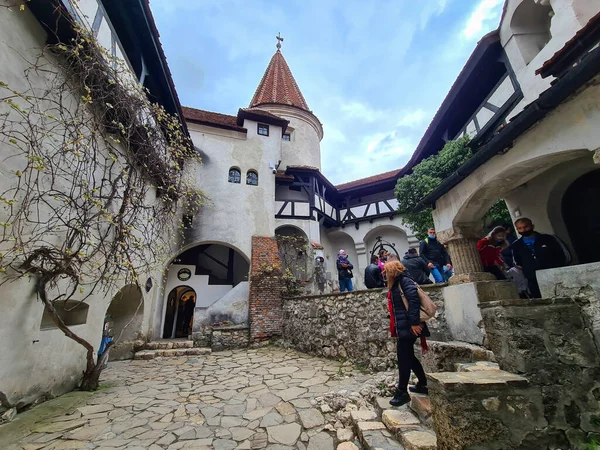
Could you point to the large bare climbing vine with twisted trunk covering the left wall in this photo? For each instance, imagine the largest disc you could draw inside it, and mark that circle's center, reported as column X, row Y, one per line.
column 95, row 176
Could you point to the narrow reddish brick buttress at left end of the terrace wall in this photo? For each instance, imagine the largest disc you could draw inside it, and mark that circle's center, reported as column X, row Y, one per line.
column 265, row 303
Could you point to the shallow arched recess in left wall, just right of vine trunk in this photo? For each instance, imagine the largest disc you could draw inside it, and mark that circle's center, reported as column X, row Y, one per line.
column 123, row 321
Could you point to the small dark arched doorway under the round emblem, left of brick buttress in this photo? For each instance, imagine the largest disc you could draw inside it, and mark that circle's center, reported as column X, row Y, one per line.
column 179, row 313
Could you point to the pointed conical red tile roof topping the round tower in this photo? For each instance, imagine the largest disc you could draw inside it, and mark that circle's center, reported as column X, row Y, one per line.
column 278, row 86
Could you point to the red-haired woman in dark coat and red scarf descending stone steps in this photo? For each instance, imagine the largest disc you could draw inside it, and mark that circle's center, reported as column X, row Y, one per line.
column 408, row 327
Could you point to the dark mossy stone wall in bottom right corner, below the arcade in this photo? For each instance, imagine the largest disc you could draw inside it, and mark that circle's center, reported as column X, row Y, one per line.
column 553, row 344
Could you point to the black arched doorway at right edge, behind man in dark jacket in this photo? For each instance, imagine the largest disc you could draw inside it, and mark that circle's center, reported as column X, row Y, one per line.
column 582, row 216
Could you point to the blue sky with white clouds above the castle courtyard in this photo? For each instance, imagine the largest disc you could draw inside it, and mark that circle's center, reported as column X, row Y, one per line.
column 373, row 71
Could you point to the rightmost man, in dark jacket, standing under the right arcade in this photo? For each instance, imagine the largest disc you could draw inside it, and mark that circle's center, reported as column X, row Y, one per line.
column 536, row 251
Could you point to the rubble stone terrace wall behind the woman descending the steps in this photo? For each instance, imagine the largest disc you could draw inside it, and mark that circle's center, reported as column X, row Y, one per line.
column 350, row 325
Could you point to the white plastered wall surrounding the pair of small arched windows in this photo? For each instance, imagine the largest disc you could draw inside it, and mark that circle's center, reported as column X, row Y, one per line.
column 236, row 211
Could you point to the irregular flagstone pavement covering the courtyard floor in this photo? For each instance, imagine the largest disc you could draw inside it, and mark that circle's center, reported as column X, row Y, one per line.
column 247, row 399
